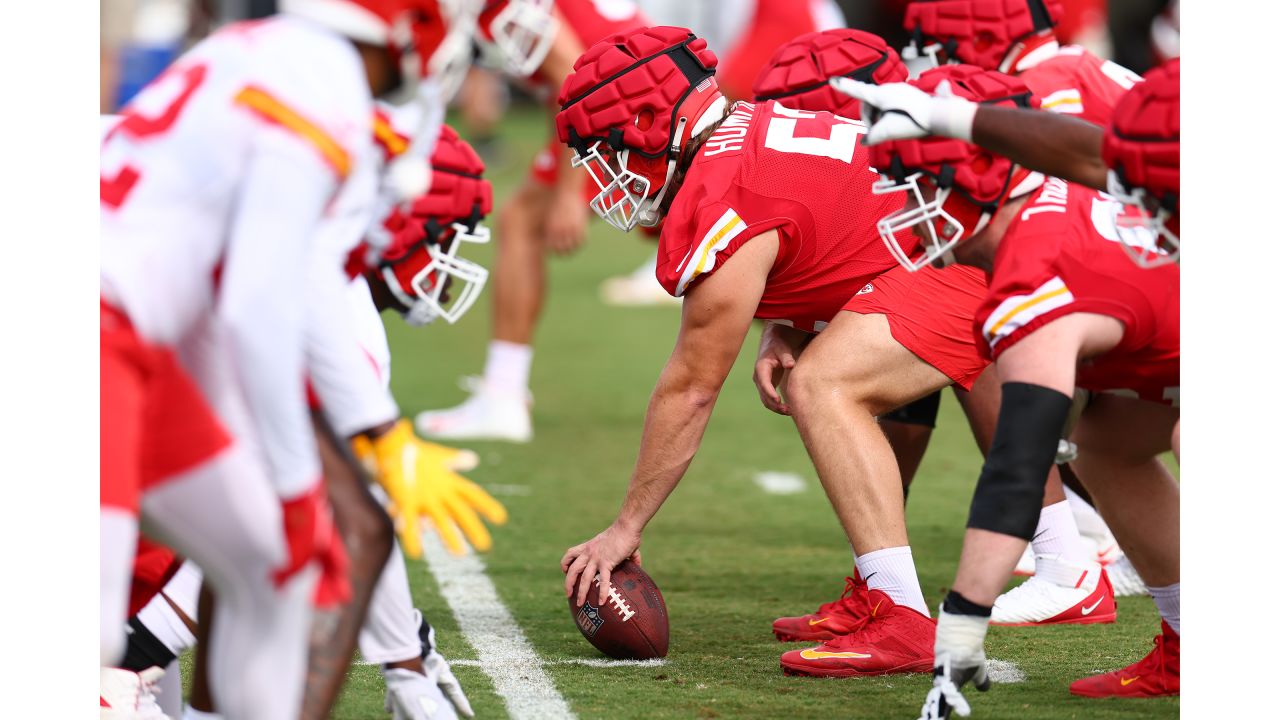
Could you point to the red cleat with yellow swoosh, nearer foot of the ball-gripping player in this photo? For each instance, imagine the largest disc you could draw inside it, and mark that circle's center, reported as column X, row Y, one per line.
column 893, row 640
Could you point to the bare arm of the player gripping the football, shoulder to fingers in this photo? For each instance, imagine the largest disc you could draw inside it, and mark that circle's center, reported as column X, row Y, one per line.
column 716, row 318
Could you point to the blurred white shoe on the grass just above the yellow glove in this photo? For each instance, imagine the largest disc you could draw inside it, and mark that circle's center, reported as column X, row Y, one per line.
column 488, row 414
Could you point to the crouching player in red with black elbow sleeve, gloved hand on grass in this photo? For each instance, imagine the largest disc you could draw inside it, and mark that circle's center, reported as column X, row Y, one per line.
column 1067, row 309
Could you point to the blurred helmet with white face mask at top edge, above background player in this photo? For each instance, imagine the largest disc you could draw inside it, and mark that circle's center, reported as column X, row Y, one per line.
column 518, row 34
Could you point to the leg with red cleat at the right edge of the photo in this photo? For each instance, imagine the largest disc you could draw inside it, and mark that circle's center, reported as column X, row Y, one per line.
column 1121, row 441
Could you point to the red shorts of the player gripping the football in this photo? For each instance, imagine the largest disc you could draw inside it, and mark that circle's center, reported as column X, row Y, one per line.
column 931, row 313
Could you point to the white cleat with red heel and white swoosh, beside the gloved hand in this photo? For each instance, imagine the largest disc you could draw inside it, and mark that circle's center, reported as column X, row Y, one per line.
column 1060, row 593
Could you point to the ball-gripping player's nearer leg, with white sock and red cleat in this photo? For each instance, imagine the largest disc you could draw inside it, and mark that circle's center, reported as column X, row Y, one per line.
column 848, row 376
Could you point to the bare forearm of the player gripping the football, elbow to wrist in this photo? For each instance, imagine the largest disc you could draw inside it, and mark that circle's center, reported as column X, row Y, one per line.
column 674, row 429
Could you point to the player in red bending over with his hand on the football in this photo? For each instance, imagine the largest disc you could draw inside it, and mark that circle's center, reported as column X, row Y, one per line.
column 748, row 234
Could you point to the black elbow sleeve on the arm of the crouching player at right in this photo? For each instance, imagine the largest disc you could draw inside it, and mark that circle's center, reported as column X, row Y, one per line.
column 1012, row 487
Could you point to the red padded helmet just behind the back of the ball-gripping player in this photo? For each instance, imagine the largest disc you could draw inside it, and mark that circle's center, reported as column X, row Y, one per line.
column 798, row 74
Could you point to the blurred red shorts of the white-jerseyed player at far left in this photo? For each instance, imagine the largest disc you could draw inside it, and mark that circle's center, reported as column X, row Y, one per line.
column 156, row 421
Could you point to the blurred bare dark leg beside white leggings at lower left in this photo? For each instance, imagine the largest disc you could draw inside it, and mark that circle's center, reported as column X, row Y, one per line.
column 367, row 532
